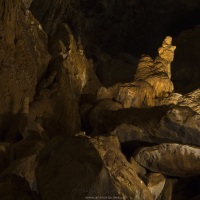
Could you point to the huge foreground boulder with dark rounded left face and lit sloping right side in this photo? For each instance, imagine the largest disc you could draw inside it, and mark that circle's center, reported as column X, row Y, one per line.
column 87, row 167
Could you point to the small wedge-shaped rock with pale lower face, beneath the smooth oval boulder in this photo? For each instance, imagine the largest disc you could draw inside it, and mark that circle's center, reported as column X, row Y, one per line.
column 155, row 183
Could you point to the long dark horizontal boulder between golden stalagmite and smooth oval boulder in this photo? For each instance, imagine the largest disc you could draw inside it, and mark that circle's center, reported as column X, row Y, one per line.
column 176, row 124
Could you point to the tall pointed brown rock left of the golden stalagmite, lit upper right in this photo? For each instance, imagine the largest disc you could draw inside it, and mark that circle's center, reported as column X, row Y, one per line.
column 69, row 68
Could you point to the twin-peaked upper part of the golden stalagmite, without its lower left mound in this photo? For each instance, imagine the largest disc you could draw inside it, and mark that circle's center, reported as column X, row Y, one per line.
column 158, row 73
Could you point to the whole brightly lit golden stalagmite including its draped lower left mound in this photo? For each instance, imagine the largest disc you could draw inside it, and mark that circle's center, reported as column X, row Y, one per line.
column 152, row 79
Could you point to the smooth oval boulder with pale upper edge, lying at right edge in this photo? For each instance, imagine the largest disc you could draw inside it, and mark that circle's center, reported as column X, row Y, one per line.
column 170, row 159
